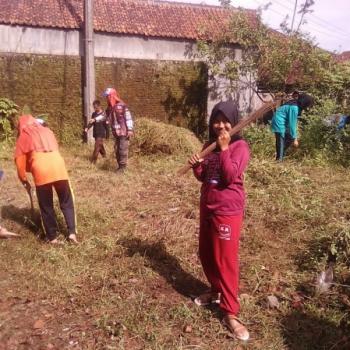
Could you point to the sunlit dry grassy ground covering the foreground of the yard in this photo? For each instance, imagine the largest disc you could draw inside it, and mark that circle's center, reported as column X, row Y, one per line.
column 129, row 284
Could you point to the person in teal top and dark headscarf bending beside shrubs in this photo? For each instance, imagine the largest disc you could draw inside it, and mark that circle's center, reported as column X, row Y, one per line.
column 285, row 123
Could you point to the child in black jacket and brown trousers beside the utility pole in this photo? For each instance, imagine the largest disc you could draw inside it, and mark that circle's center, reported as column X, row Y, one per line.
column 100, row 130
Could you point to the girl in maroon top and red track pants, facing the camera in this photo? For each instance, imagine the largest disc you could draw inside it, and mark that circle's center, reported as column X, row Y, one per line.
column 221, row 213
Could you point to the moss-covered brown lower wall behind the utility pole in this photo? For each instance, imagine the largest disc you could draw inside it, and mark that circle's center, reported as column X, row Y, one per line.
column 52, row 85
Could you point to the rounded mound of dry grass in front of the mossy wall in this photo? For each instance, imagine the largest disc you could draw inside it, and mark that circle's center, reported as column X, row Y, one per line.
column 153, row 137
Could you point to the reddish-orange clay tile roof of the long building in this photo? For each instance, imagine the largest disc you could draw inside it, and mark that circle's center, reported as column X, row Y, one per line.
column 140, row 17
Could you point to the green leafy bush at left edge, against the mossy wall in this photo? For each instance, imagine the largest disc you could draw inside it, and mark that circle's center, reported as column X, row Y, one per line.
column 8, row 112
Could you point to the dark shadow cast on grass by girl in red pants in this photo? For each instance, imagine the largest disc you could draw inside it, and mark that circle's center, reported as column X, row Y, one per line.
column 166, row 265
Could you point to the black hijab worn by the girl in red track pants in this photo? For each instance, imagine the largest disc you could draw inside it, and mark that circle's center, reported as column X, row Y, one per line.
column 230, row 110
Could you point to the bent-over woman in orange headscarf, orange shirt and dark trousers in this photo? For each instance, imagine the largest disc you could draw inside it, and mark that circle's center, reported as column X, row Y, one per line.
column 37, row 153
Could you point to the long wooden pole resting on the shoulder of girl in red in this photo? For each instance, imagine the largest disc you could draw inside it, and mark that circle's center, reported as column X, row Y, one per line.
column 259, row 113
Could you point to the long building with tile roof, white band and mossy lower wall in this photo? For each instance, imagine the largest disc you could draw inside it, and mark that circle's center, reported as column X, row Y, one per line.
column 161, row 34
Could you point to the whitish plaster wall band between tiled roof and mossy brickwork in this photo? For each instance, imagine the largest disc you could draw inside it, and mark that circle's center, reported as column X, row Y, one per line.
column 18, row 39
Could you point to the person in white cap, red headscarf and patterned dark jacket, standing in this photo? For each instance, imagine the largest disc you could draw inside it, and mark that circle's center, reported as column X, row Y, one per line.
column 120, row 119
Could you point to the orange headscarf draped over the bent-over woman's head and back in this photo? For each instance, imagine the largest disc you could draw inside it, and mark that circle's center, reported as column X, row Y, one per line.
column 33, row 137
